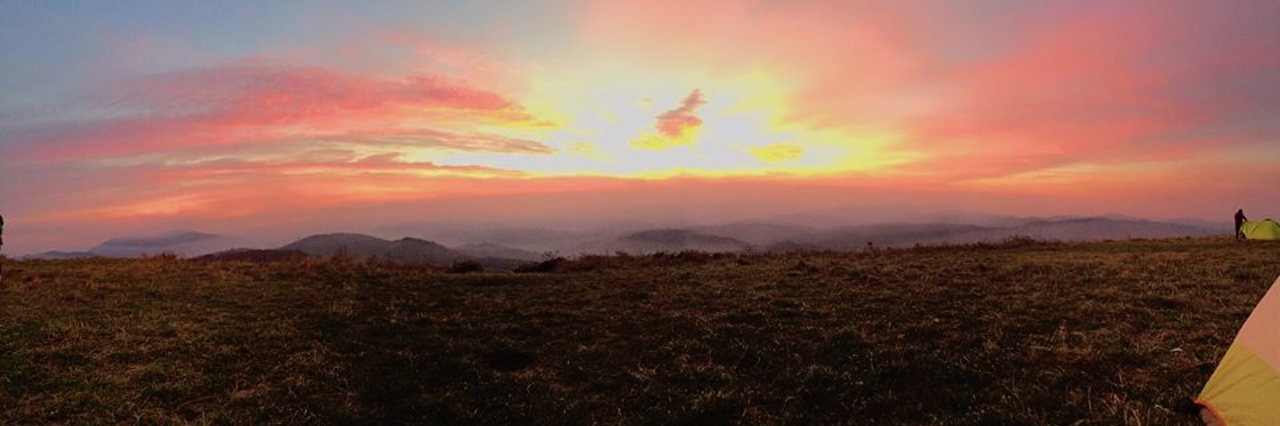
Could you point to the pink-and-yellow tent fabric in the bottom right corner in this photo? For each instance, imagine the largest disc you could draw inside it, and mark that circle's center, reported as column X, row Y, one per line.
column 1246, row 387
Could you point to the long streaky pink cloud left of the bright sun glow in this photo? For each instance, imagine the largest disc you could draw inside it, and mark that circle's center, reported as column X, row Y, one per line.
column 254, row 104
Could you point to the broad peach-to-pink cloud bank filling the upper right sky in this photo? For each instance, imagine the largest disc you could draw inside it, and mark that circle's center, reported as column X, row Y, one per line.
column 985, row 90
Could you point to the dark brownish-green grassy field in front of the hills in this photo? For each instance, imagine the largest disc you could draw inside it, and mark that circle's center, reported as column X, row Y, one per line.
column 1117, row 333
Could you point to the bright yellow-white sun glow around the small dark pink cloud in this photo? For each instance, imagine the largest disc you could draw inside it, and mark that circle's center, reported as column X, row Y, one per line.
column 642, row 125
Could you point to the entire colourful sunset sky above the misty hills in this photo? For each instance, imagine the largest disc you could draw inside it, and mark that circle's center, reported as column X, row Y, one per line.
column 285, row 118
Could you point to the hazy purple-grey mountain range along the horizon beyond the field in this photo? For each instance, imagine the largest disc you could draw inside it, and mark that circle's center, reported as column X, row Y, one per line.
column 509, row 248
